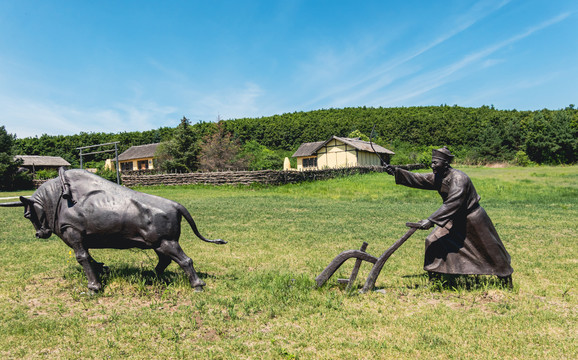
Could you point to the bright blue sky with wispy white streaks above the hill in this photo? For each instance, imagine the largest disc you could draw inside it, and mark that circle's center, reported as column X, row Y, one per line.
column 112, row 66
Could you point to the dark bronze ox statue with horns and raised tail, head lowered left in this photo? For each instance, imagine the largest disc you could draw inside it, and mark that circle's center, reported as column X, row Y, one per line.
column 89, row 212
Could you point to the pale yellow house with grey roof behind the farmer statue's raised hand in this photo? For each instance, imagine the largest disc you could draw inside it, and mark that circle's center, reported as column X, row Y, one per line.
column 339, row 152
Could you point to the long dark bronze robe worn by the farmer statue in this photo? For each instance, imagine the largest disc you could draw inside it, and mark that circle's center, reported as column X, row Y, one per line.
column 465, row 240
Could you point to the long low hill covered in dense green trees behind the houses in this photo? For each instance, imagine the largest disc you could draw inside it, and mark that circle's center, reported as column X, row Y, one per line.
column 475, row 134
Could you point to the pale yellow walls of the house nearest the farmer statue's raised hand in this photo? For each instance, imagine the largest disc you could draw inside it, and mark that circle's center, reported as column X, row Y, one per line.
column 336, row 154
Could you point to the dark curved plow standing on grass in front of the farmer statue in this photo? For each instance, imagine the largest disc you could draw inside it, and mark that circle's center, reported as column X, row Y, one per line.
column 361, row 256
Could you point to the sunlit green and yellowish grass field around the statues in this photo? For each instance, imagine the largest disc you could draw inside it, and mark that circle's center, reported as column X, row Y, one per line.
column 260, row 301
